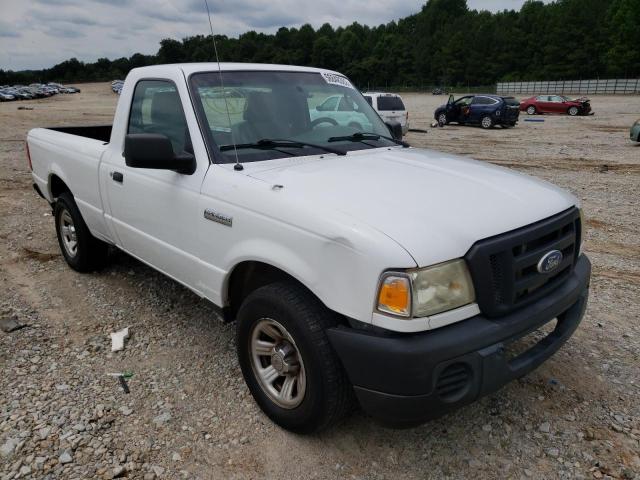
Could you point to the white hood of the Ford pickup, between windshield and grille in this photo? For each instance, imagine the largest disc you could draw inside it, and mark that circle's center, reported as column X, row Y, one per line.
column 433, row 204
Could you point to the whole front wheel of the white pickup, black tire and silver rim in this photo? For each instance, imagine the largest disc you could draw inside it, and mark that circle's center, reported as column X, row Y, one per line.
column 286, row 359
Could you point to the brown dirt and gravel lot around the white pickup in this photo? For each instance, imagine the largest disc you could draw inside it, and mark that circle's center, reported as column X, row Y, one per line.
column 189, row 414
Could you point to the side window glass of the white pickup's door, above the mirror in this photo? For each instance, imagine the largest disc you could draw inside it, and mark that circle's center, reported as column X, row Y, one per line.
column 156, row 108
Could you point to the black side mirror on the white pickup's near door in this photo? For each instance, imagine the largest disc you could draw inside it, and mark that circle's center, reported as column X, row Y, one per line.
column 153, row 150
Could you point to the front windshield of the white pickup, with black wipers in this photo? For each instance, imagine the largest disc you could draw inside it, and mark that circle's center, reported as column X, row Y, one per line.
column 309, row 110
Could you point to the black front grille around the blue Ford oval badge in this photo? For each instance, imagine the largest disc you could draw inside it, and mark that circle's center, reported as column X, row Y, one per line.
column 504, row 267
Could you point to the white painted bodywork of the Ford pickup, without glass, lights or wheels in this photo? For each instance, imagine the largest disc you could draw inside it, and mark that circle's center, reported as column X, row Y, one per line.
column 336, row 225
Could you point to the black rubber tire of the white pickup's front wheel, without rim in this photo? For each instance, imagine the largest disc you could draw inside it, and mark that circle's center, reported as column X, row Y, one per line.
column 328, row 395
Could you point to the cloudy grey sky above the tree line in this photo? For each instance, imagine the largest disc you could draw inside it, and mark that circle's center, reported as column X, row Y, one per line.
column 37, row 34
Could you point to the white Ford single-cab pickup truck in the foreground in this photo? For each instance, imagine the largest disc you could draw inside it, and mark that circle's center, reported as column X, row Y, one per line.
column 358, row 269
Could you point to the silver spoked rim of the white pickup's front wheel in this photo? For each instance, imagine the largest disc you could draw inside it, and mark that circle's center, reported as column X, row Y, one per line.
column 277, row 364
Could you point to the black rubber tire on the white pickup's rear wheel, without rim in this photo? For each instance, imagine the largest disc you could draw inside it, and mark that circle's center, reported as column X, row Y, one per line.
column 91, row 253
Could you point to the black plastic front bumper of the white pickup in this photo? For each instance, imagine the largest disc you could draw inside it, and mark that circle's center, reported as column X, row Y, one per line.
column 404, row 380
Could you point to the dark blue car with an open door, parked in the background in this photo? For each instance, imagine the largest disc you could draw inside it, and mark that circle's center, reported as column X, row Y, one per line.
column 483, row 110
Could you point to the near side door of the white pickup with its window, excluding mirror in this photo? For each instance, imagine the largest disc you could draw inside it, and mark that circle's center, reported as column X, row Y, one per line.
column 155, row 213
